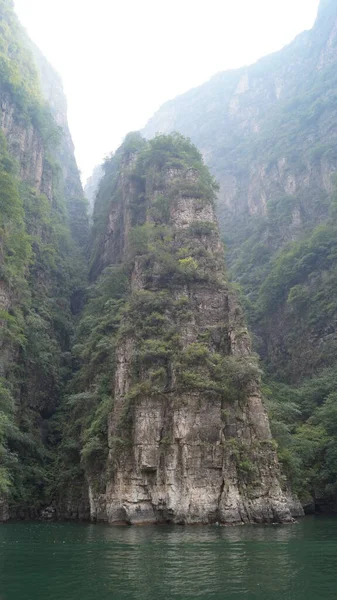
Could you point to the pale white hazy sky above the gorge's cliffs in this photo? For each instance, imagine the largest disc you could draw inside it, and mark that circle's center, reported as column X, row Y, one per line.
column 121, row 59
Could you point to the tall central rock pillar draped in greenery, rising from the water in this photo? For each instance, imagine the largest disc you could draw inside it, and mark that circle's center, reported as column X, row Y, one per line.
column 186, row 437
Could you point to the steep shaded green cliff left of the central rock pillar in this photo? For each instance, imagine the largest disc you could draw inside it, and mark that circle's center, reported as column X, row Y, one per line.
column 40, row 262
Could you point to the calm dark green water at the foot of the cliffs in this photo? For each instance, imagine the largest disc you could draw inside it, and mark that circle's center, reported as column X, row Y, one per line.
column 88, row 562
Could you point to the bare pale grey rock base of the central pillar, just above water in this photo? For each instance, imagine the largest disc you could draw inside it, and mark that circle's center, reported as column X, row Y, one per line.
column 182, row 468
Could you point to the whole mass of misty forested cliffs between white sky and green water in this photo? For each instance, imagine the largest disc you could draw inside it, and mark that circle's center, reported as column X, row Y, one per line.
column 129, row 389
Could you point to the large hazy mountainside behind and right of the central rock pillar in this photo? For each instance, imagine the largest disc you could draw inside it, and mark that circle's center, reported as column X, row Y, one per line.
column 268, row 132
